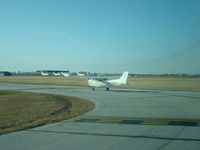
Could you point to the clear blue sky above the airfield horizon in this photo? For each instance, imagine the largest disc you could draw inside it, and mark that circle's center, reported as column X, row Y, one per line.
column 141, row 36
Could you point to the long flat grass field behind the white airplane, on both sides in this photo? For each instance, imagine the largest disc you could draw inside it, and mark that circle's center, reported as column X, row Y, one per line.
column 154, row 83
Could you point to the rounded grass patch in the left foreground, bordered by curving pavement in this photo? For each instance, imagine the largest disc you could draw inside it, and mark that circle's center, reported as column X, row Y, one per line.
column 21, row 110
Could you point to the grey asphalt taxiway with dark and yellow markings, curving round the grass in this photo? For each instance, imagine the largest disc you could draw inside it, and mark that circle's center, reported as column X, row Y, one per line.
column 122, row 119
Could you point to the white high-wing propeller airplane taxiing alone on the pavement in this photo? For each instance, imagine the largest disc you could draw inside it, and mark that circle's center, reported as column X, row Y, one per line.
column 108, row 83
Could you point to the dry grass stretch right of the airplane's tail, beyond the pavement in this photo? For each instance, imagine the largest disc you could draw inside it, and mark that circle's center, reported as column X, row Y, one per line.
column 165, row 83
